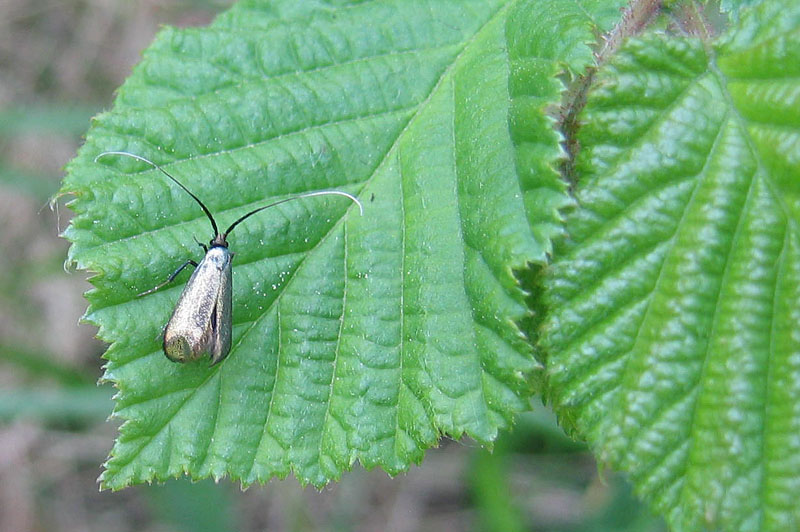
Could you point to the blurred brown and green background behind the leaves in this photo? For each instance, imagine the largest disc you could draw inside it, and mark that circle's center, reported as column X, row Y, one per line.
column 60, row 61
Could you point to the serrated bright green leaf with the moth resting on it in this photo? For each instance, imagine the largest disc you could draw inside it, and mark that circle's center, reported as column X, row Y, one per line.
column 355, row 337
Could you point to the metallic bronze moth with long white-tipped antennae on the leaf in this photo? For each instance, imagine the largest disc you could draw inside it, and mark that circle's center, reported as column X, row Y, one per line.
column 202, row 320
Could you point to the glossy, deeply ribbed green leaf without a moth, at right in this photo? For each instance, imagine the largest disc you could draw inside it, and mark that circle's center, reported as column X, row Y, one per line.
column 672, row 344
